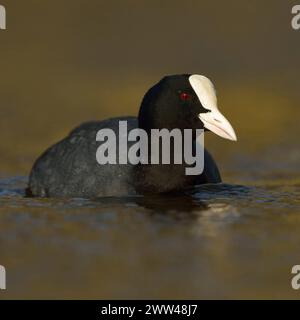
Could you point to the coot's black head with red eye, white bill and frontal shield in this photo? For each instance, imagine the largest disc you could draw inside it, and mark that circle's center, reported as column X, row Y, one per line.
column 184, row 102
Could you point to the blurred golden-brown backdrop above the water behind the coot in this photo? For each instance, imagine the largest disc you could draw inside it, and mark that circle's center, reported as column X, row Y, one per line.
column 65, row 62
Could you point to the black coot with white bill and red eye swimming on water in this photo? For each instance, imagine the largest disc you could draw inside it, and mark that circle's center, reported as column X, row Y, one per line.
column 70, row 169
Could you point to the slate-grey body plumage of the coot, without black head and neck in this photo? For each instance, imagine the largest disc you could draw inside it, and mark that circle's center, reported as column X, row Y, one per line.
column 70, row 168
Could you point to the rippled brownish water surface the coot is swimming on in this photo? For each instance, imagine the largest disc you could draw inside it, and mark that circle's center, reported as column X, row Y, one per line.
column 216, row 241
